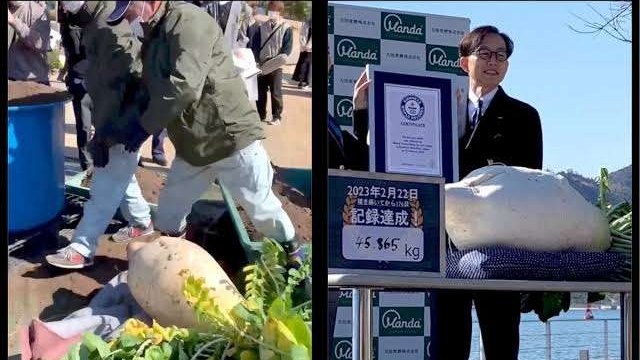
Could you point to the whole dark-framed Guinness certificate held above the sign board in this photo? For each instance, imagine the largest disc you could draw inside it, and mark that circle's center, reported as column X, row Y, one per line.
column 413, row 123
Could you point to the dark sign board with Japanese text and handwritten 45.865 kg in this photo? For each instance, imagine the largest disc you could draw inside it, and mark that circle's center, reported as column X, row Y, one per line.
column 385, row 223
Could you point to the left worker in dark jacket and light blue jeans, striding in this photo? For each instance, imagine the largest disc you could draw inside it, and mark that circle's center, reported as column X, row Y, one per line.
column 113, row 81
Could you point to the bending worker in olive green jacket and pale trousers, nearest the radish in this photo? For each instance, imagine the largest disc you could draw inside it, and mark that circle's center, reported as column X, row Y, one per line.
column 197, row 94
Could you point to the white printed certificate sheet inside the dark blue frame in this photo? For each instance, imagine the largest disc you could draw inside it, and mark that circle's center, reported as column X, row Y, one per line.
column 413, row 143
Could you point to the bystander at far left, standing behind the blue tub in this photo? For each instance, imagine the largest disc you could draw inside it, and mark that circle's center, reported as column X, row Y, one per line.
column 29, row 30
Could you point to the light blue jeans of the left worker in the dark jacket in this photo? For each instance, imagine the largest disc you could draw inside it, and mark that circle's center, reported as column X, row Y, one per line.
column 112, row 185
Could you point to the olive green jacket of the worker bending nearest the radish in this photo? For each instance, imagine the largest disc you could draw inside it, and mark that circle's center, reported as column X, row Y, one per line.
column 194, row 88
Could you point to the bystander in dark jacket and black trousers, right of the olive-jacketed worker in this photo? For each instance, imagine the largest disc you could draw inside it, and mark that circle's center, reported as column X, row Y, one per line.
column 271, row 43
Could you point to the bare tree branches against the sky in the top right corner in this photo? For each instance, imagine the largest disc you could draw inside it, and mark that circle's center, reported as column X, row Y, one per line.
column 616, row 24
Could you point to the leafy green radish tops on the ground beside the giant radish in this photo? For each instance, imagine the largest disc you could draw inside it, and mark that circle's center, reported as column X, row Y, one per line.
column 271, row 324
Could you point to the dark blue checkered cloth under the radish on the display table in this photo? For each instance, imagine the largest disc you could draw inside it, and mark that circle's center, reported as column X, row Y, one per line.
column 517, row 264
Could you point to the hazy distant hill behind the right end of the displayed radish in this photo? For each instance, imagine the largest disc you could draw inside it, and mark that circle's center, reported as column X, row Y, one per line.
column 619, row 184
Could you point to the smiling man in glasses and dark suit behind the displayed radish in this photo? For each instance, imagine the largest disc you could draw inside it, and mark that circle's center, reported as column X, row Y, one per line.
column 499, row 129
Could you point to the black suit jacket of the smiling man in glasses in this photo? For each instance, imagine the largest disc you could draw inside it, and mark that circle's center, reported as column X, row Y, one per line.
column 509, row 132
